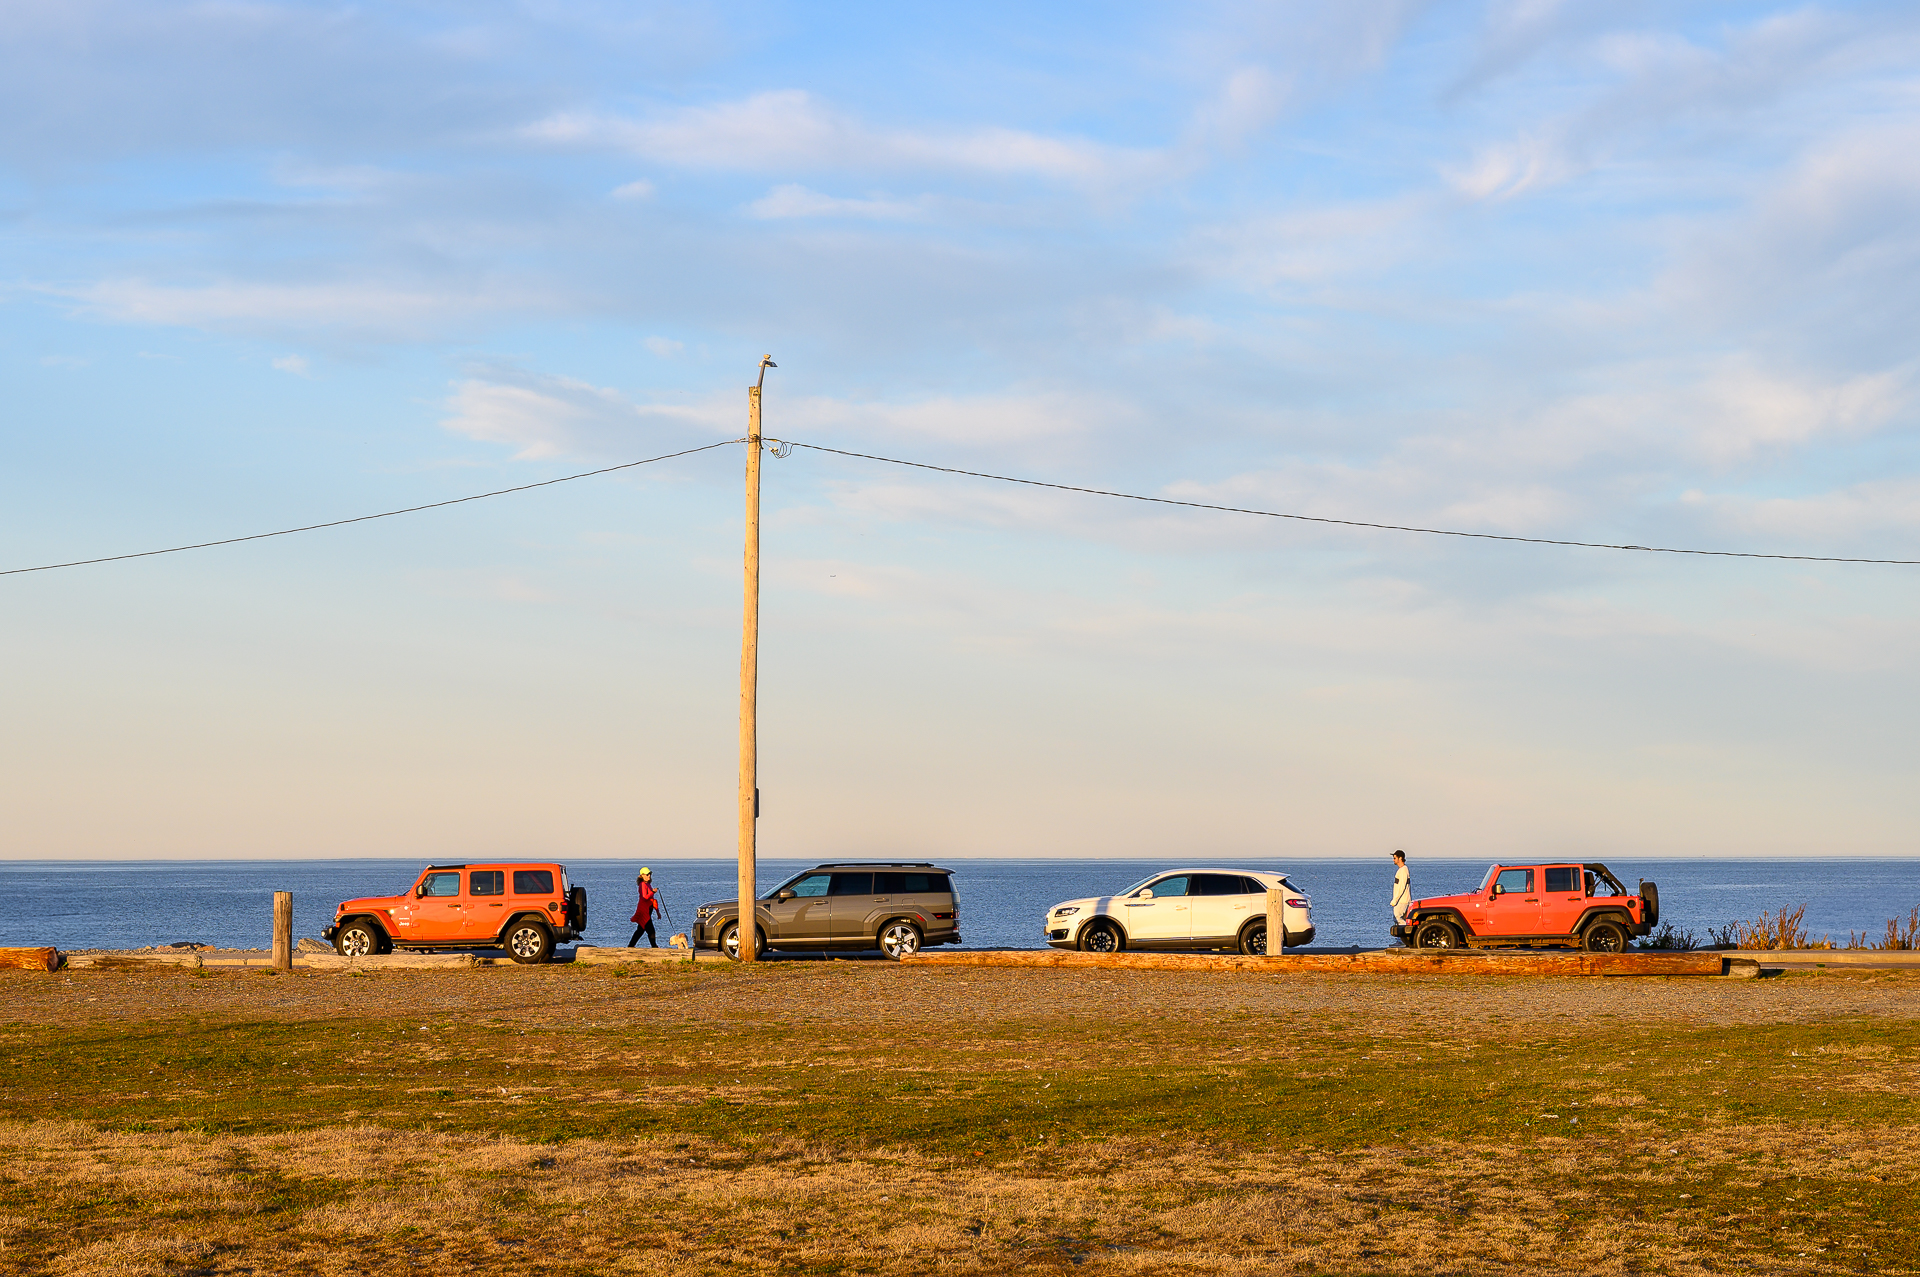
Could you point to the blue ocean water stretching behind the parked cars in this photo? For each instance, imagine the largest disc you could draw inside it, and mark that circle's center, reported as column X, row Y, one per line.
column 229, row 904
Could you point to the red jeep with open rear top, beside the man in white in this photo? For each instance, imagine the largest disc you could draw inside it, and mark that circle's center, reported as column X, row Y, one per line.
column 1537, row 905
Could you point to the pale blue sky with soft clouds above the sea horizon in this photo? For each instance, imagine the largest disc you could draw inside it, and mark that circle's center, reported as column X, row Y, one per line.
column 1600, row 272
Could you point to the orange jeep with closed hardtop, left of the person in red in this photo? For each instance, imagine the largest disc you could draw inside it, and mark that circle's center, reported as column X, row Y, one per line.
column 523, row 909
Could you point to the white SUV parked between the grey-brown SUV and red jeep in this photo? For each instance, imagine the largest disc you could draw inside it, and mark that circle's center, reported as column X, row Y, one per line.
column 1182, row 909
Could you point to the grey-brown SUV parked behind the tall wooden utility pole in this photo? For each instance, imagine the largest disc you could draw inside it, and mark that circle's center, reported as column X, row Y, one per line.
column 898, row 907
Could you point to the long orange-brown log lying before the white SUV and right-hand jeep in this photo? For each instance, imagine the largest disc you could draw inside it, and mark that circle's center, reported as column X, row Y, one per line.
column 1378, row 963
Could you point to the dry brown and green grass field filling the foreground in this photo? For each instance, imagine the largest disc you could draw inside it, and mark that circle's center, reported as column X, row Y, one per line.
column 869, row 1119
